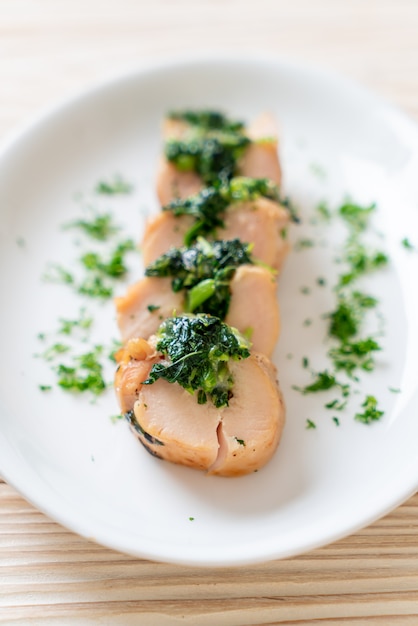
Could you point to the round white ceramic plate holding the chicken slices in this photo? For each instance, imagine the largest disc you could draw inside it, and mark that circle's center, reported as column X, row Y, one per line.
column 66, row 456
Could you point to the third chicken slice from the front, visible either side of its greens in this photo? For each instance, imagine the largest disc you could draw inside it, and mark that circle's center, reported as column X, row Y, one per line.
column 261, row 222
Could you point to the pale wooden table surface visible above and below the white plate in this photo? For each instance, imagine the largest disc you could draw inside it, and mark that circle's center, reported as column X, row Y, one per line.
column 51, row 49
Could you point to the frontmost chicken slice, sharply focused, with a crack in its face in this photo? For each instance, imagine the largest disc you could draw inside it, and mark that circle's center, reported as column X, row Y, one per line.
column 227, row 441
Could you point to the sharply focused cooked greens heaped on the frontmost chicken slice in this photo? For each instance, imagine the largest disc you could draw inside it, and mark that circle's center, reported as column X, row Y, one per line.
column 198, row 348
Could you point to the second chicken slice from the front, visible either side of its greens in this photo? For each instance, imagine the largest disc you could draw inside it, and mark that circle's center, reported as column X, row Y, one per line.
column 253, row 298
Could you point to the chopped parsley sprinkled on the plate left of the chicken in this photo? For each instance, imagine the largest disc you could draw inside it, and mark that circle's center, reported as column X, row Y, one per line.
column 94, row 275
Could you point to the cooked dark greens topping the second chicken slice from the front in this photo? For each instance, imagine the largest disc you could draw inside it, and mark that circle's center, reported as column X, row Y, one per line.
column 203, row 272
